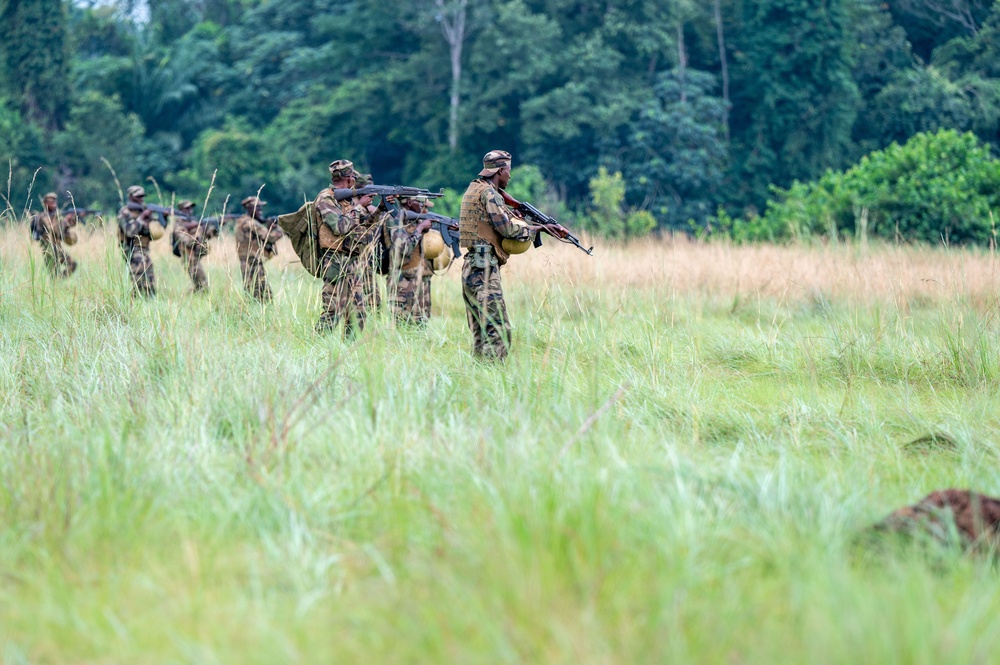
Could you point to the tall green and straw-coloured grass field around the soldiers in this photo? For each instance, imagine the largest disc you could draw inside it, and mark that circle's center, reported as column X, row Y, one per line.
column 673, row 466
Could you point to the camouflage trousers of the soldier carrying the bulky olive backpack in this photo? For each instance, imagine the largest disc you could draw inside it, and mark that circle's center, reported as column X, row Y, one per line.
column 350, row 293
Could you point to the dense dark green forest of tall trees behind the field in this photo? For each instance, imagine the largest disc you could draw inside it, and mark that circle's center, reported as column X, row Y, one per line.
column 625, row 115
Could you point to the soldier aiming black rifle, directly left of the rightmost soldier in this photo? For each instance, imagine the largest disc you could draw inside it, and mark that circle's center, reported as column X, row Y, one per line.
column 410, row 273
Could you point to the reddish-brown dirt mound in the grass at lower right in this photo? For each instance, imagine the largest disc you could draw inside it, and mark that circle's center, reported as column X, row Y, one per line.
column 945, row 514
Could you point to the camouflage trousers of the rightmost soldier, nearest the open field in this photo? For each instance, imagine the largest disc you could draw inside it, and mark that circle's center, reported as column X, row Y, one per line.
column 485, row 310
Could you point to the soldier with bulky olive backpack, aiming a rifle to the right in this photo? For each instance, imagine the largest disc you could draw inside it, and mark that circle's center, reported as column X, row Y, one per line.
column 348, row 239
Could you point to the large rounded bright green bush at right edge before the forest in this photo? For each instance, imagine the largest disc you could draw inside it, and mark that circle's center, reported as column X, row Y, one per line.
column 935, row 188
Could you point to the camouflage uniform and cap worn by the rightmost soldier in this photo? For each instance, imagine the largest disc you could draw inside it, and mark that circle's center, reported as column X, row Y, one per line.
column 484, row 222
